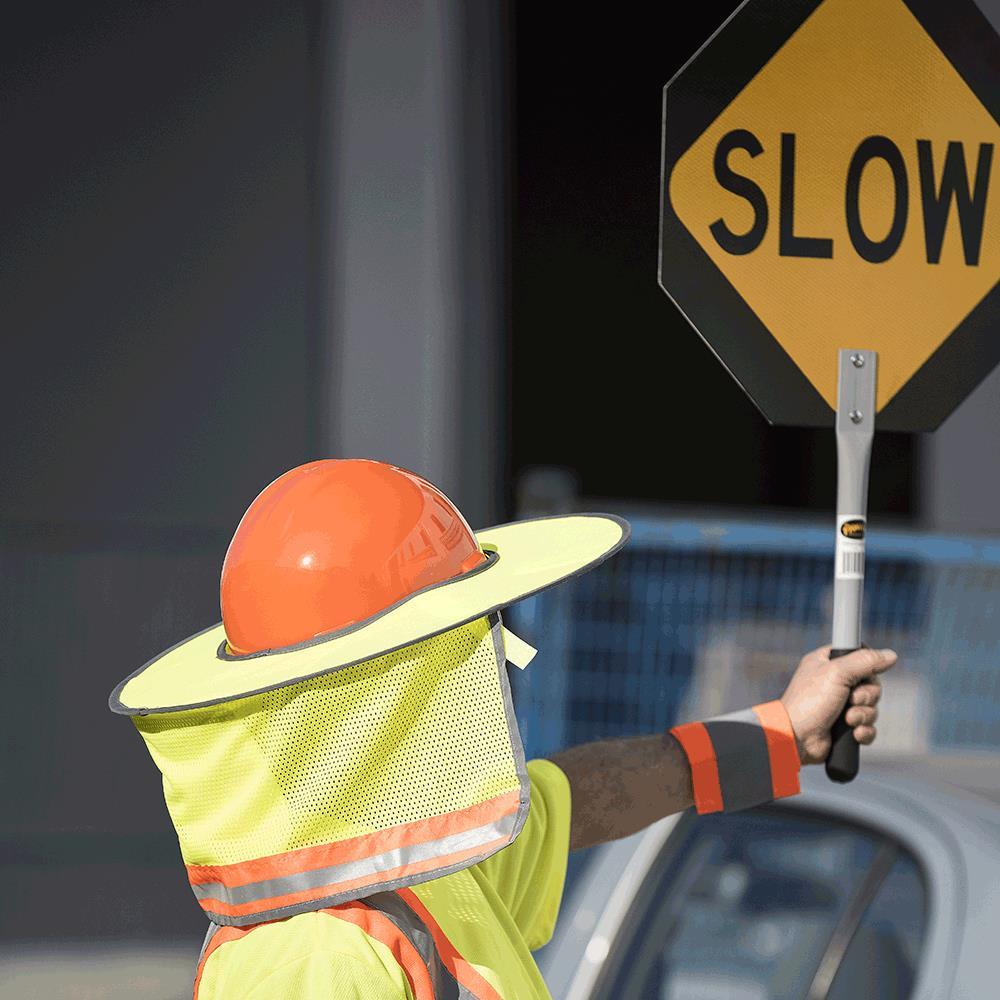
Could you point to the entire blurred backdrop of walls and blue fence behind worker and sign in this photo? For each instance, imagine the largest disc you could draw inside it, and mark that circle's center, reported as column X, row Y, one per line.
column 238, row 237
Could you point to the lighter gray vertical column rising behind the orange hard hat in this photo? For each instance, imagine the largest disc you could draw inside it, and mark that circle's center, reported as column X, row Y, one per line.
column 413, row 252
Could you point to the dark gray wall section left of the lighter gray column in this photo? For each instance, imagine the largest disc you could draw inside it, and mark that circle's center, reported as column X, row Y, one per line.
column 157, row 373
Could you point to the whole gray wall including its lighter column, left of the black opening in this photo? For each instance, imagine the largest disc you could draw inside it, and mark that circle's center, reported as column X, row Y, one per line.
column 211, row 273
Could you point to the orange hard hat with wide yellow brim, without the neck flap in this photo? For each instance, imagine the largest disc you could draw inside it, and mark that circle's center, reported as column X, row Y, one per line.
column 360, row 502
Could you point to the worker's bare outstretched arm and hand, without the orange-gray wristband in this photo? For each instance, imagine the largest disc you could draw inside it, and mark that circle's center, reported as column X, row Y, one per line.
column 620, row 786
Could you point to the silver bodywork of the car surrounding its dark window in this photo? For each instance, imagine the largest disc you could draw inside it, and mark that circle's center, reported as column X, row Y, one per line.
column 944, row 807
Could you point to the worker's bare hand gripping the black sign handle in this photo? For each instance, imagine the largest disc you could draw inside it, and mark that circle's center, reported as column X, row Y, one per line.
column 821, row 687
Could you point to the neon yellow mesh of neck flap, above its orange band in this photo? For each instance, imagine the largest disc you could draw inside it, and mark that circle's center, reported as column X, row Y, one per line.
column 403, row 737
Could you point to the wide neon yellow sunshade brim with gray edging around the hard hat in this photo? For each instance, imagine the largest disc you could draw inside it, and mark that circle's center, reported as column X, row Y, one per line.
column 525, row 557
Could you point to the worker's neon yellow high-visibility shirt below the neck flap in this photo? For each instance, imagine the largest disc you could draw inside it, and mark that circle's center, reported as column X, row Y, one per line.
column 492, row 916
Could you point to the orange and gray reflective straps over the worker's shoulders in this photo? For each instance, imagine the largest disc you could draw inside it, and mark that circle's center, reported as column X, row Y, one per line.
column 433, row 967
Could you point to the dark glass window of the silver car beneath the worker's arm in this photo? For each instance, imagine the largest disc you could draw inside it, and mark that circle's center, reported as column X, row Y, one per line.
column 745, row 908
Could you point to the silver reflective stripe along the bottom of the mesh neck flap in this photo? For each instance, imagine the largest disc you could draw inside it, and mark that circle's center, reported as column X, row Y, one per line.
column 315, row 879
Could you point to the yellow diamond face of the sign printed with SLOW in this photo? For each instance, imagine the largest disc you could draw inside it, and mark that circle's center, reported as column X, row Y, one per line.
column 849, row 193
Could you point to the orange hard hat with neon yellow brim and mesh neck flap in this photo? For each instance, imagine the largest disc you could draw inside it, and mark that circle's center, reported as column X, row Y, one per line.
column 349, row 728
